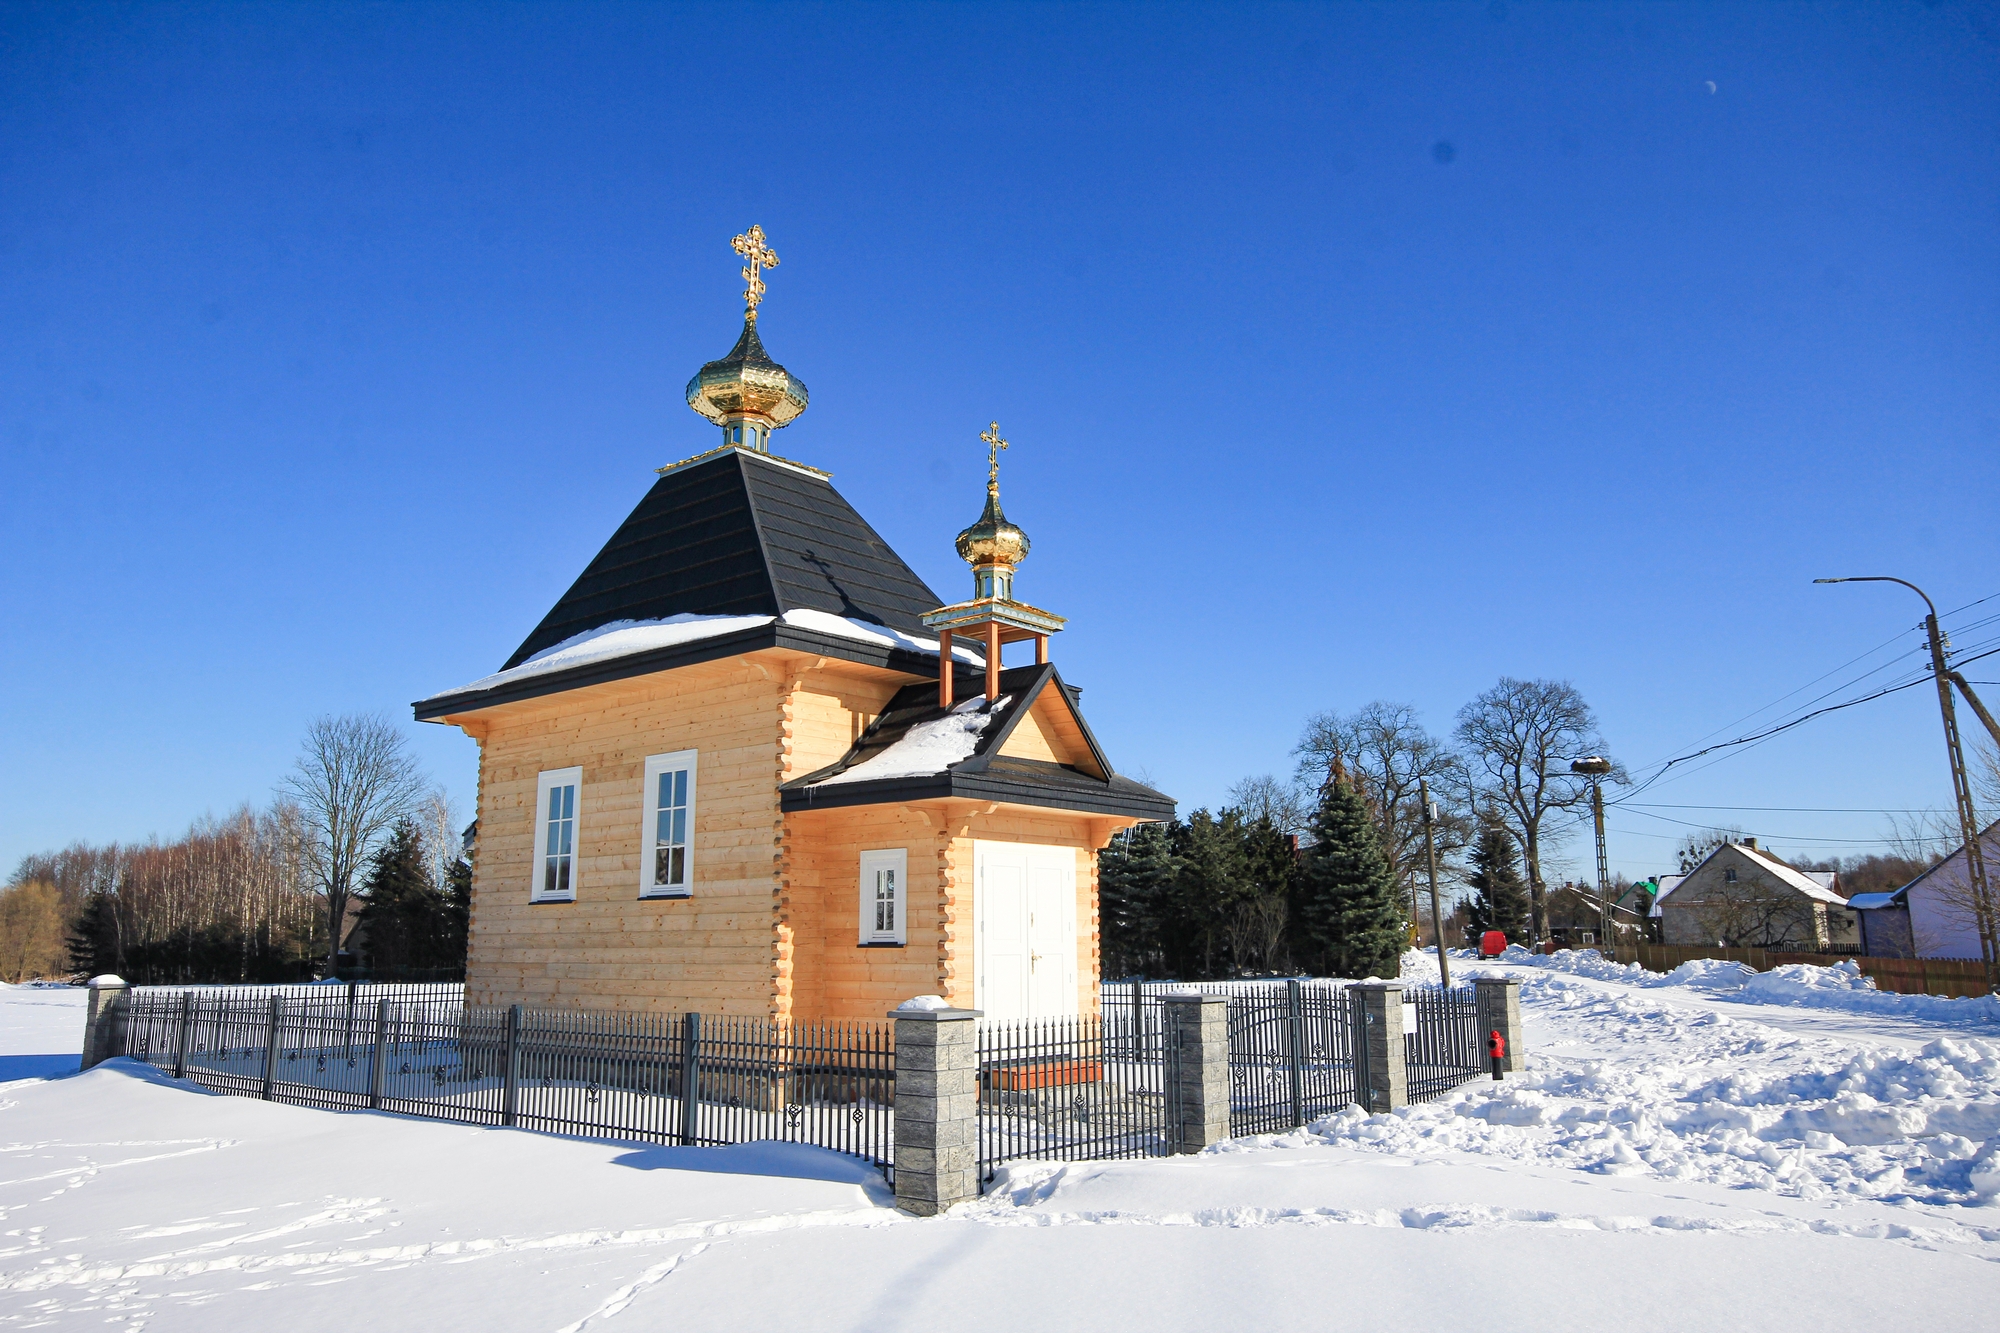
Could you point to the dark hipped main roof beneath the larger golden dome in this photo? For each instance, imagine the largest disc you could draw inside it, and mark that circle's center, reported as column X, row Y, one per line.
column 739, row 535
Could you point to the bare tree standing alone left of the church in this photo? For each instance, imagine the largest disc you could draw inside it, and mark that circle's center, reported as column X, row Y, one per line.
column 351, row 784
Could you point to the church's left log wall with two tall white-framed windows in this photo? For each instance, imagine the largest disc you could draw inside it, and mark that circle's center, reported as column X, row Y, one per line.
column 611, row 948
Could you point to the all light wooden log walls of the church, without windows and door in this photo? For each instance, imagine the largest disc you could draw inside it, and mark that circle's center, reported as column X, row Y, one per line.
column 773, row 924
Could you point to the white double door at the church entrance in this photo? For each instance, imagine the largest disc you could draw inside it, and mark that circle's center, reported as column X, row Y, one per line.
column 1025, row 930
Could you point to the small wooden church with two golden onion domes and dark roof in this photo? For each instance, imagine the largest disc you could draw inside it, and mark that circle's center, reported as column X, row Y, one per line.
column 729, row 774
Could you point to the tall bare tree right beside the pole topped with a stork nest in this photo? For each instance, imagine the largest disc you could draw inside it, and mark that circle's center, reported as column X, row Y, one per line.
column 1519, row 740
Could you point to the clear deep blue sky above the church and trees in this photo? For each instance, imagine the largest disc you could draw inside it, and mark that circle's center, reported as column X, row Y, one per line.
column 1347, row 351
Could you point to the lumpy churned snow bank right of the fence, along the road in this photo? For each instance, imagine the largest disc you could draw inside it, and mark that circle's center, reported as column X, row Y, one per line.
column 1633, row 1084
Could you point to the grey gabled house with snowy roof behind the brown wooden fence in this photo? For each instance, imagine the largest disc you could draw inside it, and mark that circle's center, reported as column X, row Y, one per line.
column 1743, row 898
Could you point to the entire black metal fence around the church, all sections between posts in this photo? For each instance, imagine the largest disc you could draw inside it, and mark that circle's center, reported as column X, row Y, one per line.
column 1085, row 1088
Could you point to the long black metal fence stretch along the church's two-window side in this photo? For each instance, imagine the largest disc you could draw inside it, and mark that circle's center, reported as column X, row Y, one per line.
column 689, row 1080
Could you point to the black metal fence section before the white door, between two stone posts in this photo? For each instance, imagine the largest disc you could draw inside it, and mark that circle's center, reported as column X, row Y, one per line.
column 1077, row 1090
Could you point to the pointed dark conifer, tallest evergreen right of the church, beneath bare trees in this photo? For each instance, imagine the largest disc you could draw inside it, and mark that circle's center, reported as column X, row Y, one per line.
column 1349, row 920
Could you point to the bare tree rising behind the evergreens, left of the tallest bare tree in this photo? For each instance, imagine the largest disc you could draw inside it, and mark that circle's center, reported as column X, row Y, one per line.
column 1387, row 752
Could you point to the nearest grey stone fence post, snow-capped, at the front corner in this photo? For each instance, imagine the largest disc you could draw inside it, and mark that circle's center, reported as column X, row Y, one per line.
column 937, row 1110
